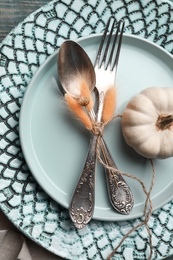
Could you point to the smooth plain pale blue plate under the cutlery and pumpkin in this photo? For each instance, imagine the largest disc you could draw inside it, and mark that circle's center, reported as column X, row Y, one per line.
column 55, row 144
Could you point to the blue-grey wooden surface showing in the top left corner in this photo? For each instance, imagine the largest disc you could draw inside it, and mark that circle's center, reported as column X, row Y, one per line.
column 12, row 12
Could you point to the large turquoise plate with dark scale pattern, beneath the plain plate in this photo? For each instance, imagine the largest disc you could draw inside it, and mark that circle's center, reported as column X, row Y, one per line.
column 22, row 199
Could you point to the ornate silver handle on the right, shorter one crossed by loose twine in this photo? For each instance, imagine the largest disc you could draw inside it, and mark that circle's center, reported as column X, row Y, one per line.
column 119, row 192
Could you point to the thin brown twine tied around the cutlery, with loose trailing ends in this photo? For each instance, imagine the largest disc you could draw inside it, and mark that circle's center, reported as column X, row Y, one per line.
column 98, row 129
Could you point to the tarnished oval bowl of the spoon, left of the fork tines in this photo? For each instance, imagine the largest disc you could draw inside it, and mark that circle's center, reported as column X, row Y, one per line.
column 75, row 67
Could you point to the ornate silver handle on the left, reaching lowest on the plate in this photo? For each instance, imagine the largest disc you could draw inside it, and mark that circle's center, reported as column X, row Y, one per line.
column 83, row 200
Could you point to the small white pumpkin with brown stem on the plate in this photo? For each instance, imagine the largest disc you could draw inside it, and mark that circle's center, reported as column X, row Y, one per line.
column 147, row 123
